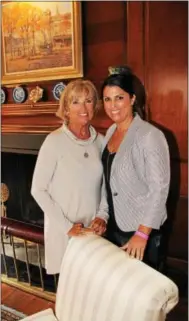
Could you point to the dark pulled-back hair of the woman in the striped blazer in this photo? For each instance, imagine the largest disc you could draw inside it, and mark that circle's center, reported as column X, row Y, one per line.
column 123, row 77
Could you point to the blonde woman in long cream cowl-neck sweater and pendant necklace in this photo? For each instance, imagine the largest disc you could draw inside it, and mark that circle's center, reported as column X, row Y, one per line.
column 67, row 180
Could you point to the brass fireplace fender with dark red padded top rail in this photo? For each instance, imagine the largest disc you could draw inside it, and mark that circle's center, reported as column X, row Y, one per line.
column 21, row 244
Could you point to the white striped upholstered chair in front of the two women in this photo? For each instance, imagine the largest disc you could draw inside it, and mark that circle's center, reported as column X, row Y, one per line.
column 100, row 282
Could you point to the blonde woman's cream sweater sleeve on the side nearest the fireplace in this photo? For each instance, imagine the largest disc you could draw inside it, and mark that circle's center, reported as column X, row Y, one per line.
column 43, row 174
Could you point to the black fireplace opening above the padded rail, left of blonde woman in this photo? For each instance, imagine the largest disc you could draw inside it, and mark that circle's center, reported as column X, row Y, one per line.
column 16, row 174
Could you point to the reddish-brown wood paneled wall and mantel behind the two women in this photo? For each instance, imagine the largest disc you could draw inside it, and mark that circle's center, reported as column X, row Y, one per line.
column 151, row 37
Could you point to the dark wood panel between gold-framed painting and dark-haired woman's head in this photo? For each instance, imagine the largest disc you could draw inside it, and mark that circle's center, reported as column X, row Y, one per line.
column 104, row 37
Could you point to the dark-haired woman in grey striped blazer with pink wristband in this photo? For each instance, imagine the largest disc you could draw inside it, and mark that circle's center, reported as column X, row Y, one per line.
column 137, row 172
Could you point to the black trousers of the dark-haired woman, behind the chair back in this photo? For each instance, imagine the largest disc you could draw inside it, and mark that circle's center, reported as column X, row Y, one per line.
column 153, row 255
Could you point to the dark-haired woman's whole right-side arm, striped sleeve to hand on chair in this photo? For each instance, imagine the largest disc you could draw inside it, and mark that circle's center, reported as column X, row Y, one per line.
column 157, row 167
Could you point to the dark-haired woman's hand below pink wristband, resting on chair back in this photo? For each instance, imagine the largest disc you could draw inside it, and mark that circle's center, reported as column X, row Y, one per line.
column 135, row 247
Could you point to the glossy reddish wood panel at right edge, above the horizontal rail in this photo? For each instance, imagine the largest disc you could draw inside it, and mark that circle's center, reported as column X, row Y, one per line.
column 166, row 62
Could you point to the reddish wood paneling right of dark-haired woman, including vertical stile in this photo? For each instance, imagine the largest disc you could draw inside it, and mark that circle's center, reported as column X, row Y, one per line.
column 162, row 64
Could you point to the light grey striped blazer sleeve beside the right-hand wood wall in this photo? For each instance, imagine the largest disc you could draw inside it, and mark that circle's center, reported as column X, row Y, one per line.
column 157, row 170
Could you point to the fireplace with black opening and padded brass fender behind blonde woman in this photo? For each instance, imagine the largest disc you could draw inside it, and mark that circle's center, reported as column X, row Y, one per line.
column 22, row 253
